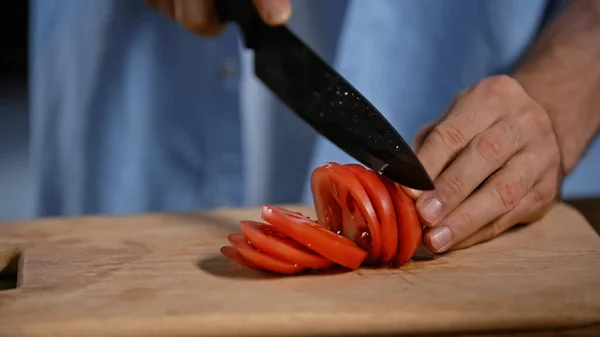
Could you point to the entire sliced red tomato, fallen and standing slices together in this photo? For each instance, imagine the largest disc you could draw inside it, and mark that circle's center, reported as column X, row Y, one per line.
column 362, row 218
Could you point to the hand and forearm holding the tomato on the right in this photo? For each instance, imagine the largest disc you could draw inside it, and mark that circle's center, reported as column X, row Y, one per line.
column 498, row 157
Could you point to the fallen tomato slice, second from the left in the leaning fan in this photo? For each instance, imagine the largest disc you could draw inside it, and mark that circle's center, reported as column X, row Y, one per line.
column 260, row 259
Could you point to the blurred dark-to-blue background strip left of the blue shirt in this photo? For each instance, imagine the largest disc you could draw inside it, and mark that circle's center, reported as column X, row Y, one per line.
column 14, row 178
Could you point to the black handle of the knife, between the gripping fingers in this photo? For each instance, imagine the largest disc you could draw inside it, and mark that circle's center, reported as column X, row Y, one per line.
column 255, row 32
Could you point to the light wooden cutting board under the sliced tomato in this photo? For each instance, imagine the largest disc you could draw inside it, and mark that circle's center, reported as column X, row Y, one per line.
column 162, row 275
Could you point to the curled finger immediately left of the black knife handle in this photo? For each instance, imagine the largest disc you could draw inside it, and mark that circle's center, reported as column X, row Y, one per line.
column 198, row 16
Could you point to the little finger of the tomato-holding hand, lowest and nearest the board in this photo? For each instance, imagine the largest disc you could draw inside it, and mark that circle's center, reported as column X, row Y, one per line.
column 532, row 207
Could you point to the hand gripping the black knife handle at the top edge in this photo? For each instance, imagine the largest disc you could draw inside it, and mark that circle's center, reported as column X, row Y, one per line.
column 200, row 17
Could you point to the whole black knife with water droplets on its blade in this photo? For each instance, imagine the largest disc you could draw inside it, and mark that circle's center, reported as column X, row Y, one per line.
column 323, row 98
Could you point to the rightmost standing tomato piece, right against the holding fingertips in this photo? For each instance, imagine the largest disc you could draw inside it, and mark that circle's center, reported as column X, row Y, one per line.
column 410, row 231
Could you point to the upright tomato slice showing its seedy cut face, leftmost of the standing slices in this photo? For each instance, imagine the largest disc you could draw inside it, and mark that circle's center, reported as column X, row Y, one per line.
column 343, row 206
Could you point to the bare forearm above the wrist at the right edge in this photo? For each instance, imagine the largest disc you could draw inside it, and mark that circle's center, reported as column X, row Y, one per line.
column 562, row 73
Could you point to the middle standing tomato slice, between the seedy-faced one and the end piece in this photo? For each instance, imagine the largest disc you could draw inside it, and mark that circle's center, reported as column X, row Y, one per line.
column 386, row 214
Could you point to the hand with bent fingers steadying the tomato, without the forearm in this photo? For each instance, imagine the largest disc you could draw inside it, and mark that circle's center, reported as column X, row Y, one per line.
column 495, row 162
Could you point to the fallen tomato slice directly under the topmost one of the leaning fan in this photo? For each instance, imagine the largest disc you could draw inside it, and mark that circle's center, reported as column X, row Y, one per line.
column 269, row 240
